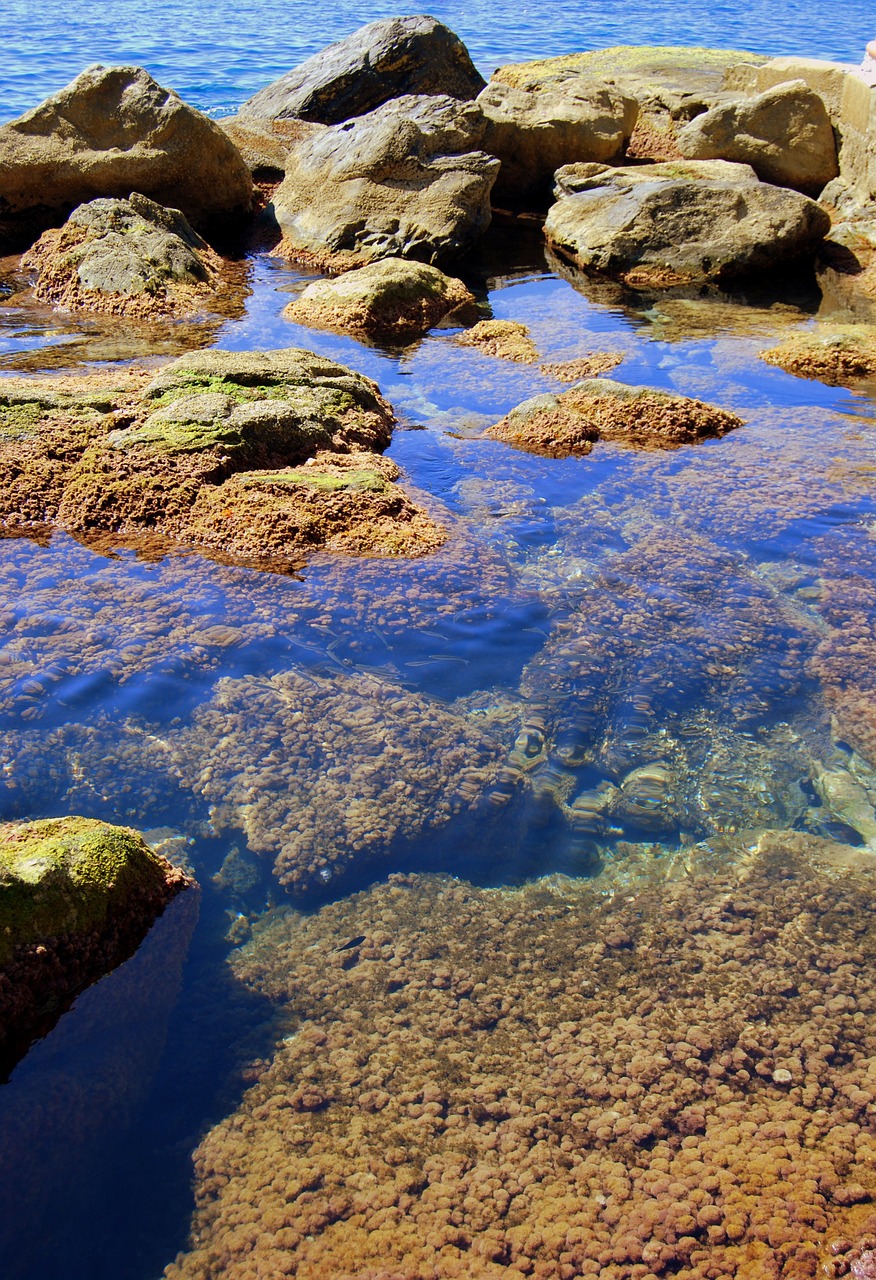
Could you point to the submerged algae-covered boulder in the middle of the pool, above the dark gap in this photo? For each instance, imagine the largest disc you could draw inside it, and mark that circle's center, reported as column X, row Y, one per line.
column 325, row 772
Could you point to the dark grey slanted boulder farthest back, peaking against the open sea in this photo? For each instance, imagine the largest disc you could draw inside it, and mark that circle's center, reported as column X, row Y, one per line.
column 385, row 60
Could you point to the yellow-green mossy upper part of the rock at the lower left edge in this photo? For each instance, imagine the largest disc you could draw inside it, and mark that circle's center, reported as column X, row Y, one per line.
column 63, row 877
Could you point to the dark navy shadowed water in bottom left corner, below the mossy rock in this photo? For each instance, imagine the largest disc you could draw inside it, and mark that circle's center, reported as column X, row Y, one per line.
column 99, row 1122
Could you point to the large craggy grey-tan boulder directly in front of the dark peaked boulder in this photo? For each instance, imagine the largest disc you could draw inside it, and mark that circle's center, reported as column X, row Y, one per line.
column 404, row 181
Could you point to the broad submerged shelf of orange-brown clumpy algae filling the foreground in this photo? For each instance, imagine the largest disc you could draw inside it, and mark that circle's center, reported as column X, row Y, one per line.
column 558, row 1082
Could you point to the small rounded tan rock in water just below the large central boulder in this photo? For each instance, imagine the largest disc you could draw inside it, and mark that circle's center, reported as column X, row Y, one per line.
column 394, row 298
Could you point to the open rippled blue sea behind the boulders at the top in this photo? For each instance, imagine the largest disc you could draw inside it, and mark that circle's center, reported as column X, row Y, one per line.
column 217, row 54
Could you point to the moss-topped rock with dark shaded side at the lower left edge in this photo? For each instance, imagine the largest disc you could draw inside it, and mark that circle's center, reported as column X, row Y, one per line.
column 77, row 897
